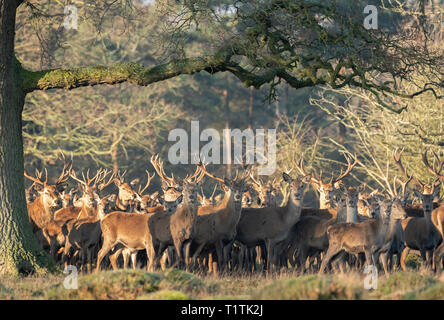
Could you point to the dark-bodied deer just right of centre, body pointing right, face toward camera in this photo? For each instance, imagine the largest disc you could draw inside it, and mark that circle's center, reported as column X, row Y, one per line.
column 270, row 226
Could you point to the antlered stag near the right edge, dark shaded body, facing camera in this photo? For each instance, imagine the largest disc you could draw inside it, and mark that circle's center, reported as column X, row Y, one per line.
column 419, row 232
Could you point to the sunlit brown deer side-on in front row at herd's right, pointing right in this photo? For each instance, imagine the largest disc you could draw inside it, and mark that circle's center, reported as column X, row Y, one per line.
column 368, row 237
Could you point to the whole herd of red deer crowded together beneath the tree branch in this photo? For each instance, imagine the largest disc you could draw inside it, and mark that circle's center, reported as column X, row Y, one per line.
column 246, row 228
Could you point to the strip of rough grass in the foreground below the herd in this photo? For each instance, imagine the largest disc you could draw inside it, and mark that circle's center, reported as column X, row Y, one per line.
column 178, row 285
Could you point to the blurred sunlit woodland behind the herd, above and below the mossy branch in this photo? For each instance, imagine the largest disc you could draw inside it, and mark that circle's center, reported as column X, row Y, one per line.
column 121, row 126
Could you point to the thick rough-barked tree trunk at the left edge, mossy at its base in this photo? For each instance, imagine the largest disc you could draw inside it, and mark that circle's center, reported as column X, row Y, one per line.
column 19, row 251
